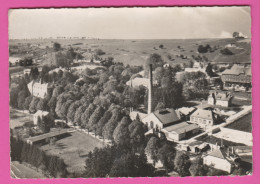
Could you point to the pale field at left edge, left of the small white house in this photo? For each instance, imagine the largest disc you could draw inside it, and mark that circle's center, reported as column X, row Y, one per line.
column 19, row 118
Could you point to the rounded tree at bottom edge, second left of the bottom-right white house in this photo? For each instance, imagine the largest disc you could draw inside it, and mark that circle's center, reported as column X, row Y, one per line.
column 182, row 164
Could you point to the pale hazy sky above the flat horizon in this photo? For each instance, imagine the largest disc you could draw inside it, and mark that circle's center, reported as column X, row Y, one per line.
column 130, row 23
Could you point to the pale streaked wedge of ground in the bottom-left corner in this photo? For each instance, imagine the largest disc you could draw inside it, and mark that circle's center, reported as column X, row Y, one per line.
column 21, row 171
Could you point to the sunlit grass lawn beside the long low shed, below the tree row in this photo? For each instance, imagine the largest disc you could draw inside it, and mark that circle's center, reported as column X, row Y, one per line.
column 73, row 149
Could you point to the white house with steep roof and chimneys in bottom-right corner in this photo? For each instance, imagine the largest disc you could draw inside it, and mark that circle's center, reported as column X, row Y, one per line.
column 221, row 159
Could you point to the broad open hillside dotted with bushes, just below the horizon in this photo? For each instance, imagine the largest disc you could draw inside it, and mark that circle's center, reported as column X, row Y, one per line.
column 135, row 52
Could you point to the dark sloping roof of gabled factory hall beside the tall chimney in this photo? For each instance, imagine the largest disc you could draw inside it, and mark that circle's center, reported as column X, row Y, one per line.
column 167, row 116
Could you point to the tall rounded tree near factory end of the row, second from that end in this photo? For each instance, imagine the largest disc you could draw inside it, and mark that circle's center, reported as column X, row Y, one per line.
column 121, row 134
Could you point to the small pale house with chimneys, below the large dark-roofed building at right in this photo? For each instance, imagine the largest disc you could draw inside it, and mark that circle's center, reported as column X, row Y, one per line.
column 221, row 99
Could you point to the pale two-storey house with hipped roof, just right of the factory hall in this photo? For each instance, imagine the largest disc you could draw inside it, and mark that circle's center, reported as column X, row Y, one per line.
column 204, row 118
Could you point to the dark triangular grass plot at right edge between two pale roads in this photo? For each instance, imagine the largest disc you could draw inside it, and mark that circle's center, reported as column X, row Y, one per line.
column 242, row 124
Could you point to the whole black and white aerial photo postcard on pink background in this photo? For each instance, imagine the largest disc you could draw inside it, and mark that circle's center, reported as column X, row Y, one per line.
column 130, row 92
